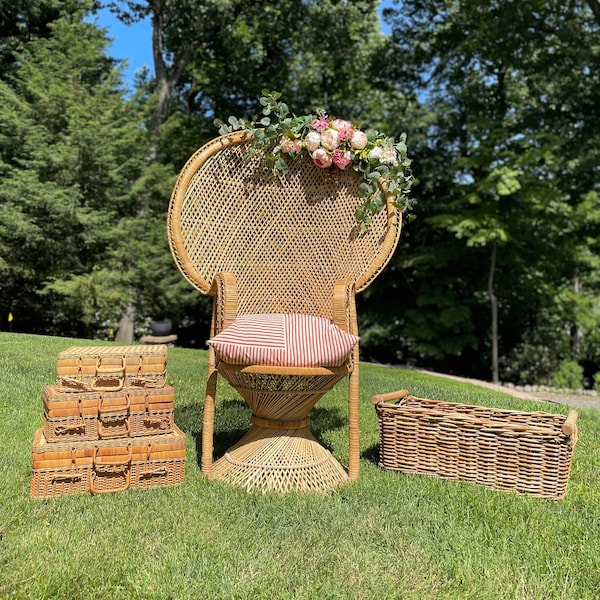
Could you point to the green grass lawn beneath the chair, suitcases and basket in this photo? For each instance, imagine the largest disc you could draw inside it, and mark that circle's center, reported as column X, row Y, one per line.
column 387, row 535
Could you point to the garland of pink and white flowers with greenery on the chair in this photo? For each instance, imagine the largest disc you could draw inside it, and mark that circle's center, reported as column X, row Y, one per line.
column 334, row 144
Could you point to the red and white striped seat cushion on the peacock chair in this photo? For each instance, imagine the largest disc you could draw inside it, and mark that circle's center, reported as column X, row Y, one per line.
column 287, row 340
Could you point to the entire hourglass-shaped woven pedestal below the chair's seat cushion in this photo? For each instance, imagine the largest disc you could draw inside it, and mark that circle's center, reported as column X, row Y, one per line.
column 279, row 453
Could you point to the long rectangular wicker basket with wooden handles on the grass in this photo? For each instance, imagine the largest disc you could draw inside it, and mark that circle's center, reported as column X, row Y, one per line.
column 527, row 453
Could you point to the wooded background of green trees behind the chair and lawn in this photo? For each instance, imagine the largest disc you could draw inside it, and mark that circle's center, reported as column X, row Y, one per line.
column 498, row 270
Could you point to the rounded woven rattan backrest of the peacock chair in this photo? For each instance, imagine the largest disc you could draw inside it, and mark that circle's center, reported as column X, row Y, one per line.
column 286, row 239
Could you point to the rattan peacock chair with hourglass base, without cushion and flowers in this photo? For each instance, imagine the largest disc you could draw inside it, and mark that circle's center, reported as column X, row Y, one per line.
column 261, row 243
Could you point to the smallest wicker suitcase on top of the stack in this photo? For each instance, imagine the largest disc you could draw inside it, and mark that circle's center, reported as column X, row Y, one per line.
column 111, row 368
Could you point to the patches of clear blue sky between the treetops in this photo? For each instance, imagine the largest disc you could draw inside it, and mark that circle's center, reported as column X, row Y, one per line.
column 133, row 43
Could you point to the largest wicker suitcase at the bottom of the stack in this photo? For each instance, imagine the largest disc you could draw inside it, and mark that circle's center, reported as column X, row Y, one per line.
column 106, row 465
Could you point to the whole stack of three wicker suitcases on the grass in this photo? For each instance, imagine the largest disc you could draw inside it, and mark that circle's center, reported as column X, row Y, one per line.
column 108, row 424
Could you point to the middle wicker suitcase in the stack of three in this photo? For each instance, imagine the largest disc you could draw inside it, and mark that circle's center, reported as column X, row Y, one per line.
column 94, row 415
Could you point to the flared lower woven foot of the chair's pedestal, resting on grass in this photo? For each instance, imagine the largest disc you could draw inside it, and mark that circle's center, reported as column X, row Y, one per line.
column 279, row 460
